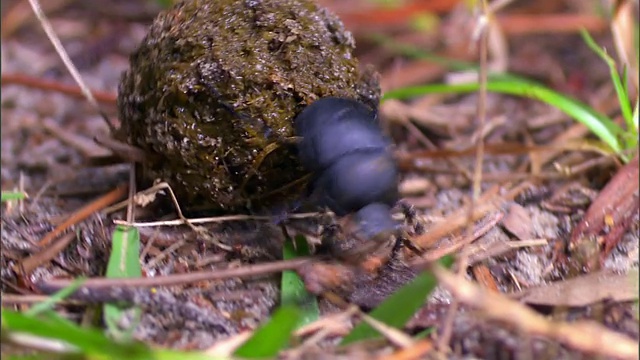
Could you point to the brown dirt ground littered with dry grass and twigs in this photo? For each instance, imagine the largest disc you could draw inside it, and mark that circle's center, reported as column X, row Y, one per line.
column 524, row 235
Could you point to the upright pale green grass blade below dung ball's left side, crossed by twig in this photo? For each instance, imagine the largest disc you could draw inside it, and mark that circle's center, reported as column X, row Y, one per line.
column 124, row 262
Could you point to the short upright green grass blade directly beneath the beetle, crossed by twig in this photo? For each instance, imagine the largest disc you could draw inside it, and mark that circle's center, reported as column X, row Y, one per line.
column 293, row 291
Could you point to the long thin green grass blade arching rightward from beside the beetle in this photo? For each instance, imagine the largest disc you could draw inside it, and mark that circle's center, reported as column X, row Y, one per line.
column 608, row 131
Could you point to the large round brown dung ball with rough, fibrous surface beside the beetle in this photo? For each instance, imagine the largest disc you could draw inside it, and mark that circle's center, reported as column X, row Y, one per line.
column 216, row 83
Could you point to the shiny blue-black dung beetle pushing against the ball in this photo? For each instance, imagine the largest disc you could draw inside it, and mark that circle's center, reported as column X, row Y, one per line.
column 353, row 170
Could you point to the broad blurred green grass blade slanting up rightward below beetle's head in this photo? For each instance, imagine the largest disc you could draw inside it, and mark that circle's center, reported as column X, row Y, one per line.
column 398, row 308
